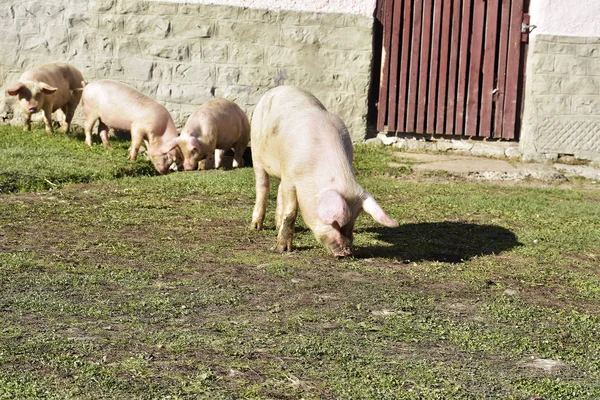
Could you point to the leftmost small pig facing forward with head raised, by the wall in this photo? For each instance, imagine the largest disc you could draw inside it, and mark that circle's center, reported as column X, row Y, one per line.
column 49, row 88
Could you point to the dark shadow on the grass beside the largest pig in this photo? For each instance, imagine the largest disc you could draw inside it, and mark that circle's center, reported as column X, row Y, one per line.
column 451, row 242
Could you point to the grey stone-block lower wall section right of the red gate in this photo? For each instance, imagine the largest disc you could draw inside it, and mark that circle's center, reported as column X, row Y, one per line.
column 562, row 102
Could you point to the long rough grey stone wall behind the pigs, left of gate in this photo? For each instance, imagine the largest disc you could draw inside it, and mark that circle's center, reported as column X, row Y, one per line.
column 184, row 54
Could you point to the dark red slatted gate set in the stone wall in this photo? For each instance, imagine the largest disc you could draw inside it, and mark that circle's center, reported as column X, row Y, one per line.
column 452, row 67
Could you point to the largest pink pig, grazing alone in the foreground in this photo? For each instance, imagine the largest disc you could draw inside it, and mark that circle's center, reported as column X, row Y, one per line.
column 295, row 139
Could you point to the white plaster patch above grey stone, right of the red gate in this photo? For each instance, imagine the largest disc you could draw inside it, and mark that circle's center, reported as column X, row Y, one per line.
column 566, row 17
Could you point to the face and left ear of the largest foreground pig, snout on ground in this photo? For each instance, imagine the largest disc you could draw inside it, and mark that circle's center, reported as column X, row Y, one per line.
column 336, row 223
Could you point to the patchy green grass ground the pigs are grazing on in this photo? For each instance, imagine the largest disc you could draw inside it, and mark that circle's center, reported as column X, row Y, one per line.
column 119, row 283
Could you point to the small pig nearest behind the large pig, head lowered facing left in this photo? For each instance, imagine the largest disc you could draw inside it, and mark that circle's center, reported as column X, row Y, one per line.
column 217, row 126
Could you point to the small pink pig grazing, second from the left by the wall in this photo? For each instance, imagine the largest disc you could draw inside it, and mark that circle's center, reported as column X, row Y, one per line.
column 118, row 106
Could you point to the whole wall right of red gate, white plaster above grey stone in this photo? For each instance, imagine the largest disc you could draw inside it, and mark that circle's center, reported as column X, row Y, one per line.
column 562, row 97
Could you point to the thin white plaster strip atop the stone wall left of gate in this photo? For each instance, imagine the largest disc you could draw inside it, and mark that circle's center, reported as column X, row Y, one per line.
column 359, row 7
